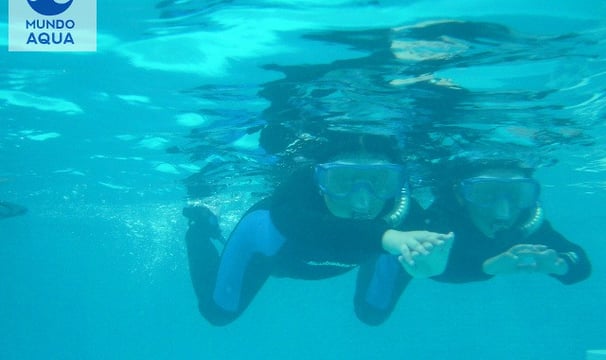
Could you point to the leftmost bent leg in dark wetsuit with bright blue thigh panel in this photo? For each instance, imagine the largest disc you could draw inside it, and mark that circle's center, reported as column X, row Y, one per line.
column 226, row 285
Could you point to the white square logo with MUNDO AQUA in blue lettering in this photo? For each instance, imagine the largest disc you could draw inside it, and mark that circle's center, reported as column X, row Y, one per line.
column 52, row 25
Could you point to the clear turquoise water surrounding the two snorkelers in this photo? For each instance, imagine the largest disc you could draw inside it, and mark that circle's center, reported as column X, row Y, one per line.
column 97, row 268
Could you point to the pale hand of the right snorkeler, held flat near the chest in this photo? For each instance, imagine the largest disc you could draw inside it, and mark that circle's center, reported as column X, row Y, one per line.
column 526, row 258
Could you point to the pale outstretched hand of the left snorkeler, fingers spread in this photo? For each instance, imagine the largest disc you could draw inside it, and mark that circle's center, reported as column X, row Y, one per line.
column 421, row 253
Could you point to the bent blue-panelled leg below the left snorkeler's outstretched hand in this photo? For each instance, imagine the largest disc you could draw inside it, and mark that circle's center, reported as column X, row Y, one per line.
column 379, row 286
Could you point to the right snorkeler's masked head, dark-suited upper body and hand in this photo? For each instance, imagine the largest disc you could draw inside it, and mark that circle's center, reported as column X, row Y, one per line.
column 493, row 208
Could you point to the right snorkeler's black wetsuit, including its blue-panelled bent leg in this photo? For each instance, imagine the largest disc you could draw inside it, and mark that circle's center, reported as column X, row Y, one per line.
column 469, row 251
